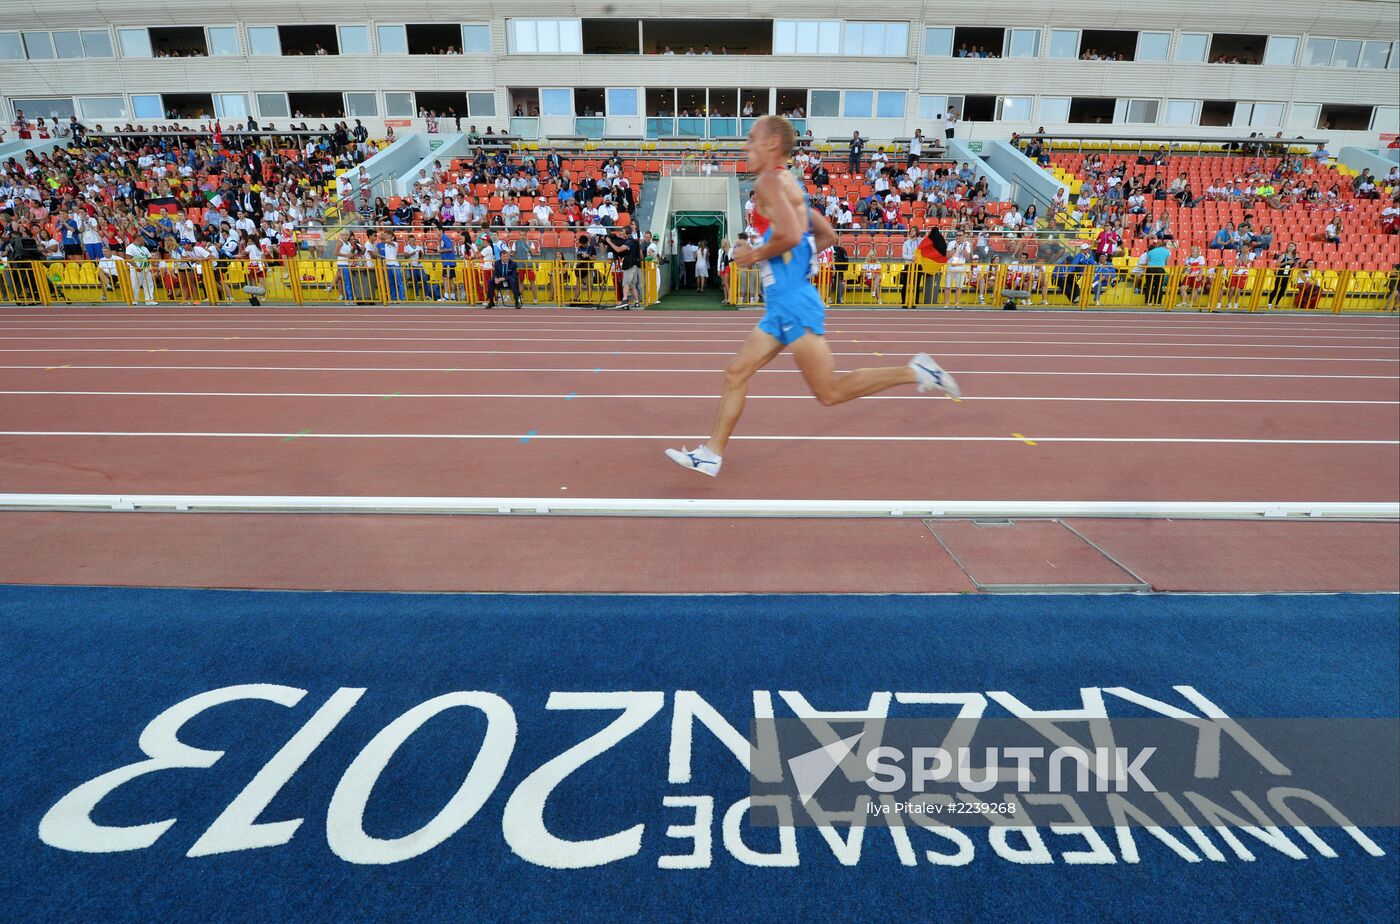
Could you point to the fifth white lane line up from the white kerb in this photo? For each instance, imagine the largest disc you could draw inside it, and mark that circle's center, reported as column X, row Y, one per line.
column 708, row 341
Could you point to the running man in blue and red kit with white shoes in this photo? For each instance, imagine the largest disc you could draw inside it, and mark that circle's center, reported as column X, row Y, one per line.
column 793, row 234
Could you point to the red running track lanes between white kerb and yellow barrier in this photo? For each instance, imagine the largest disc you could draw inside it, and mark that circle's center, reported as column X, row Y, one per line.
column 464, row 402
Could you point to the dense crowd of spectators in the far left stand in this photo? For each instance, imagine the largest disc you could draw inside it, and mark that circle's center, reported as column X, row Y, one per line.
column 160, row 201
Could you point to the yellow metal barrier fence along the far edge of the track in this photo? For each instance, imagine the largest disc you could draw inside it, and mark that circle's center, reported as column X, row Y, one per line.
column 885, row 285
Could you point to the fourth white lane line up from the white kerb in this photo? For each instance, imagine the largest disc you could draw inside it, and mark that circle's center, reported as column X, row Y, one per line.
column 941, row 353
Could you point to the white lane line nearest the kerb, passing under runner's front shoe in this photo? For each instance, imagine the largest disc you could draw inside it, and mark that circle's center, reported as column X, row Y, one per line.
column 692, row 437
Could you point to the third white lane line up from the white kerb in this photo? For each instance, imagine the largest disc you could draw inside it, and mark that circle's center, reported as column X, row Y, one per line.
column 647, row 372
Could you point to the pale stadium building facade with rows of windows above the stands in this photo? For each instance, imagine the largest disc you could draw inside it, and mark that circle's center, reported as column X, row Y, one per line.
column 594, row 69
